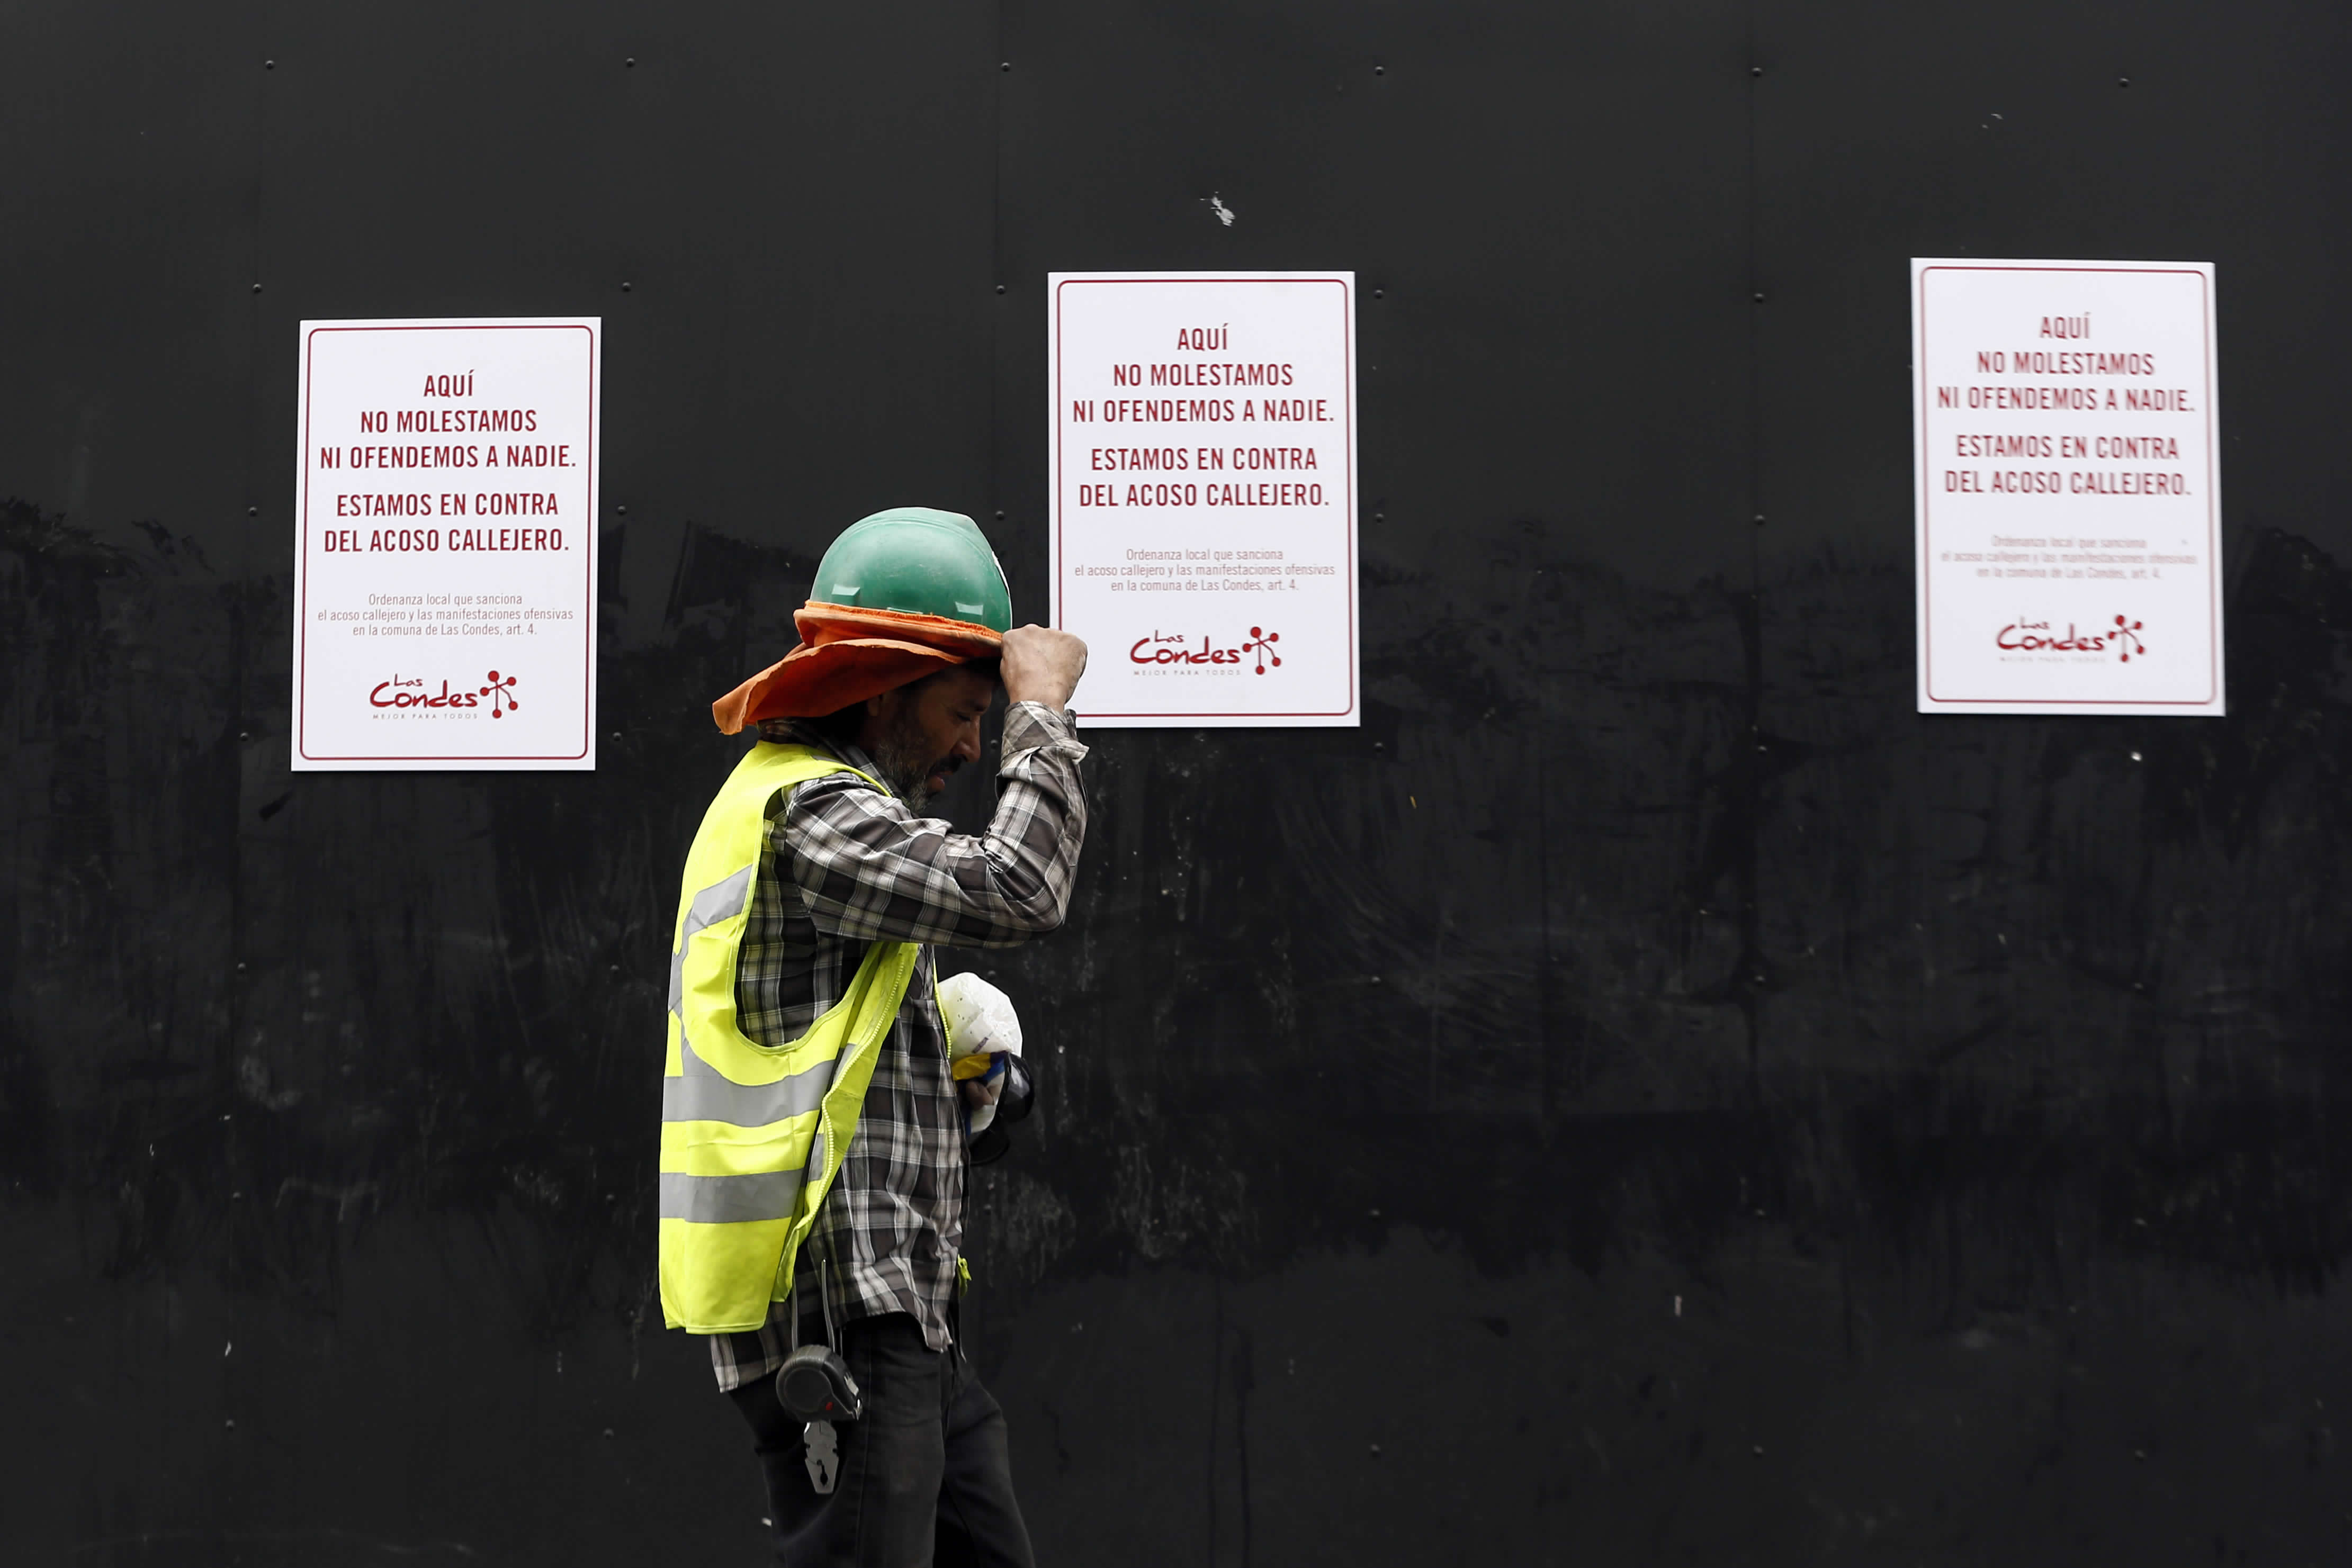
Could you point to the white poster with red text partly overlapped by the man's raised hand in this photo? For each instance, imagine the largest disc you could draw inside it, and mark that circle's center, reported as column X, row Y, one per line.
column 1203, row 509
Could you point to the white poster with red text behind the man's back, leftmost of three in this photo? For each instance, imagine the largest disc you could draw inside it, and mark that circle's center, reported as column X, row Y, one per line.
column 446, row 544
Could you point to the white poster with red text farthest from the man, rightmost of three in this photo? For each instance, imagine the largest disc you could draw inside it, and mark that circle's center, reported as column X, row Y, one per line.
column 2069, row 483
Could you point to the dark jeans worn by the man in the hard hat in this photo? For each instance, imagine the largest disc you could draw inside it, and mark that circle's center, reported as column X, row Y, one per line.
column 926, row 1475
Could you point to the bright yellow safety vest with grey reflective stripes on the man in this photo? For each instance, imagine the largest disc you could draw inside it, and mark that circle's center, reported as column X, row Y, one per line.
column 751, row 1137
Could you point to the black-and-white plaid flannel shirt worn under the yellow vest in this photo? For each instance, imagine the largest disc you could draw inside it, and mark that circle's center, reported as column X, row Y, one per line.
column 846, row 866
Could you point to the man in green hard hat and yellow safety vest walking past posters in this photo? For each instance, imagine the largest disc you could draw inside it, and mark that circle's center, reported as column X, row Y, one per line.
column 815, row 1167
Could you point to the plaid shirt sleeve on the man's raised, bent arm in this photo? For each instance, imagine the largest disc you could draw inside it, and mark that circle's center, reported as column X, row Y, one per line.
column 869, row 869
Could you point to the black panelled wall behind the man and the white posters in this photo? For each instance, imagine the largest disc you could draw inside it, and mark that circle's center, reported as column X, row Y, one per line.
column 1643, row 1099
